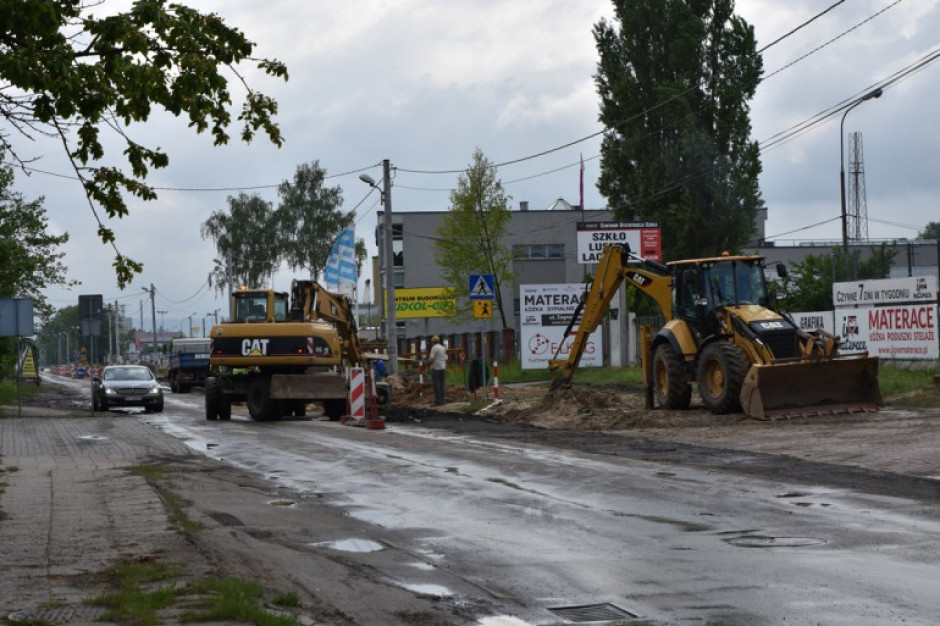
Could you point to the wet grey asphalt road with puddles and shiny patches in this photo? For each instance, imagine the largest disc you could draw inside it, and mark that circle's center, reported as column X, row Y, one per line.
column 496, row 524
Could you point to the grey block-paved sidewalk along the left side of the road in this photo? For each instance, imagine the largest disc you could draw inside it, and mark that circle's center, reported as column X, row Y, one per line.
column 71, row 509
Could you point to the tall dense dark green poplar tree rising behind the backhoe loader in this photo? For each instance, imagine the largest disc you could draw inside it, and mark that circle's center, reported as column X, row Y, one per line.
column 674, row 79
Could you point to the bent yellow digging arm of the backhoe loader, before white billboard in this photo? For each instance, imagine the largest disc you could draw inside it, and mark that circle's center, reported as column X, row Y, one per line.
column 612, row 270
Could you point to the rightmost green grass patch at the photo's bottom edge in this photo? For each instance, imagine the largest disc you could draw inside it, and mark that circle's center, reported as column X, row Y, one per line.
column 233, row 599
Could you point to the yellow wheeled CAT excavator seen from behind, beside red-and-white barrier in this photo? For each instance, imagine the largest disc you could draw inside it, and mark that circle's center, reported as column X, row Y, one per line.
column 279, row 354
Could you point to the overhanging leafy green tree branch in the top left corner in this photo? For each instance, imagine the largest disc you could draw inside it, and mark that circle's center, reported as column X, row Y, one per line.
column 67, row 74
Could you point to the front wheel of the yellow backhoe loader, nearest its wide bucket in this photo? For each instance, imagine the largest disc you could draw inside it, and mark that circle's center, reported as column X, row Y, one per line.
column 722, row 367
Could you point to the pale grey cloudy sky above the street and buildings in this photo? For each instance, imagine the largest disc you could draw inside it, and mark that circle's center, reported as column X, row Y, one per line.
column 423, row 83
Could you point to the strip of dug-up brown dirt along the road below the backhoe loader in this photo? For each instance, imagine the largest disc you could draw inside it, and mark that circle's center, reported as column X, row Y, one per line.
column 892, row 451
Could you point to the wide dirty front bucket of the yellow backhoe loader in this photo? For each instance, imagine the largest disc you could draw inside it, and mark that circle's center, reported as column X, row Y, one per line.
column 825, row 387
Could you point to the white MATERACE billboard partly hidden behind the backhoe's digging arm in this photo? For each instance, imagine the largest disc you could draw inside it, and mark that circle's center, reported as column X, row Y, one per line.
column 545, row 312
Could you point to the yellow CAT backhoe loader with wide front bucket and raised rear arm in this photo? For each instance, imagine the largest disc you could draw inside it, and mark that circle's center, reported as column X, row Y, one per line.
column 722, row 334
